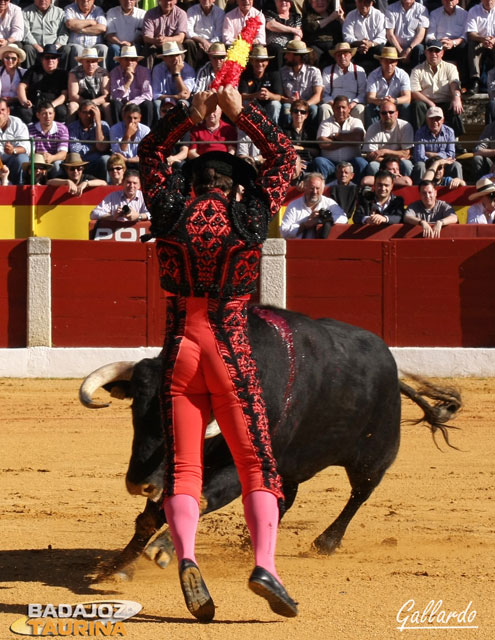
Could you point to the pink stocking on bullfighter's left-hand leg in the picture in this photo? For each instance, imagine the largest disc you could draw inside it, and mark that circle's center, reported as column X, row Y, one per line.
column 182, row 513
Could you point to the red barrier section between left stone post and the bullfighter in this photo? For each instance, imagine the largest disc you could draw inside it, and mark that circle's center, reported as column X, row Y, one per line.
column 106, row 295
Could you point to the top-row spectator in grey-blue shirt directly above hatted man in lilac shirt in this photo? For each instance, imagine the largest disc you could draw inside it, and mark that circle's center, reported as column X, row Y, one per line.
column 124, row 27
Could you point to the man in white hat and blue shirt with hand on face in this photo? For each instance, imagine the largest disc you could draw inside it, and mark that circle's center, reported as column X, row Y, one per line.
column 172, row 78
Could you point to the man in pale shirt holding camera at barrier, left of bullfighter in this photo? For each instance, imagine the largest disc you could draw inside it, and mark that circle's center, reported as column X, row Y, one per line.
column 126, row 205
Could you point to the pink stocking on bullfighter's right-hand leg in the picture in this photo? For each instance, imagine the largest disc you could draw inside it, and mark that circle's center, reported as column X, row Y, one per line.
column 261, row 513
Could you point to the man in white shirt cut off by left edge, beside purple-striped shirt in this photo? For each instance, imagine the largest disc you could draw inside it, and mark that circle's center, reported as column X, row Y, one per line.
column 13, row 153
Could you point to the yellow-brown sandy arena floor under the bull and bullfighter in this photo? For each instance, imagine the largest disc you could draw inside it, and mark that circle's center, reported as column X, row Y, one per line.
column 421, row 548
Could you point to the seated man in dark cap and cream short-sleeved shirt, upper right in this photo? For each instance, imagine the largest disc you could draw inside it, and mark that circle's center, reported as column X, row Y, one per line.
column 436, row 83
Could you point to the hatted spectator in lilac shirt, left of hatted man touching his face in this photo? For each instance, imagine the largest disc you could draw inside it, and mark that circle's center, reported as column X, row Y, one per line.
column 131, row 82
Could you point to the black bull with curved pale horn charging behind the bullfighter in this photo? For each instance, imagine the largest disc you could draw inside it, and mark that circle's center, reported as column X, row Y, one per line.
column 333, row 397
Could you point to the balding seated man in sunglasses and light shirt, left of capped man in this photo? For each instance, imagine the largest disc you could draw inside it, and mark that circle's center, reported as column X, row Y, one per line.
column 389, row 137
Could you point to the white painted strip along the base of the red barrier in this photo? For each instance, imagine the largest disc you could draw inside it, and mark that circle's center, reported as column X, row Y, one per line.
column 45, row 362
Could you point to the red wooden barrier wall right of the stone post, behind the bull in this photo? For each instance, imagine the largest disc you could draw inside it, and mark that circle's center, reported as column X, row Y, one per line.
column 412, row 292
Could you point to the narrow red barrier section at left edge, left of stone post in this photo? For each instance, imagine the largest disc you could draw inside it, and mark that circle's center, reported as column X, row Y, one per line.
column 13, row 292
